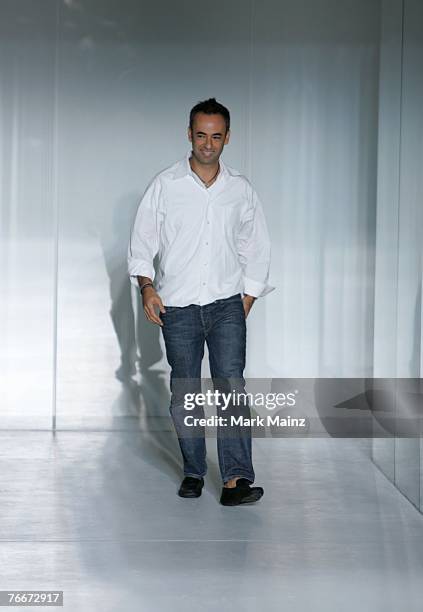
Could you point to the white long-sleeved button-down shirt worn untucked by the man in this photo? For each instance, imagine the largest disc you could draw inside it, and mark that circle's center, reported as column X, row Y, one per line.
column 211, row 242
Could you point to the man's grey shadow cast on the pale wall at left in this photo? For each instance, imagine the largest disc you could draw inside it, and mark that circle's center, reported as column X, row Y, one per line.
column 145, row 393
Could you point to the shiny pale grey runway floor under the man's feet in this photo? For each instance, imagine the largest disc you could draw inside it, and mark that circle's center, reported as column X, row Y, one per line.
column 96, row 514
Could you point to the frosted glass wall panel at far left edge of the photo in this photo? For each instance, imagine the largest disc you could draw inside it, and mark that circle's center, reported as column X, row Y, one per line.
column 27, row 222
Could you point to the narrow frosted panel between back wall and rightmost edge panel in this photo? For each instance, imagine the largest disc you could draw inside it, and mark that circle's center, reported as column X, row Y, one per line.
column 386, row 270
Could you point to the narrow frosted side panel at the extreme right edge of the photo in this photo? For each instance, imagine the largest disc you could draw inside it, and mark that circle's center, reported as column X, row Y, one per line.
column 409, row 328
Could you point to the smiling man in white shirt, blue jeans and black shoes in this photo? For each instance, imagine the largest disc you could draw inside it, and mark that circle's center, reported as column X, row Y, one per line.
column 206, row 223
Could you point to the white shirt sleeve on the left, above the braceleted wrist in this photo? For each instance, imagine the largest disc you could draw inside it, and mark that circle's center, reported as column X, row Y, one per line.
column 144, row 238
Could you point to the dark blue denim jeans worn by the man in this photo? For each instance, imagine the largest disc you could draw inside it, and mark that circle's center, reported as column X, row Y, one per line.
column 221, row 324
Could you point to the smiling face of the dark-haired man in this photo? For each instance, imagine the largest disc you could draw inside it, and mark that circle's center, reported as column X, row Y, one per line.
column 208, row 137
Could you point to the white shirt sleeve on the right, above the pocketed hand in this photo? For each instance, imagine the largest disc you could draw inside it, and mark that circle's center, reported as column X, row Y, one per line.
column 254, row 249
